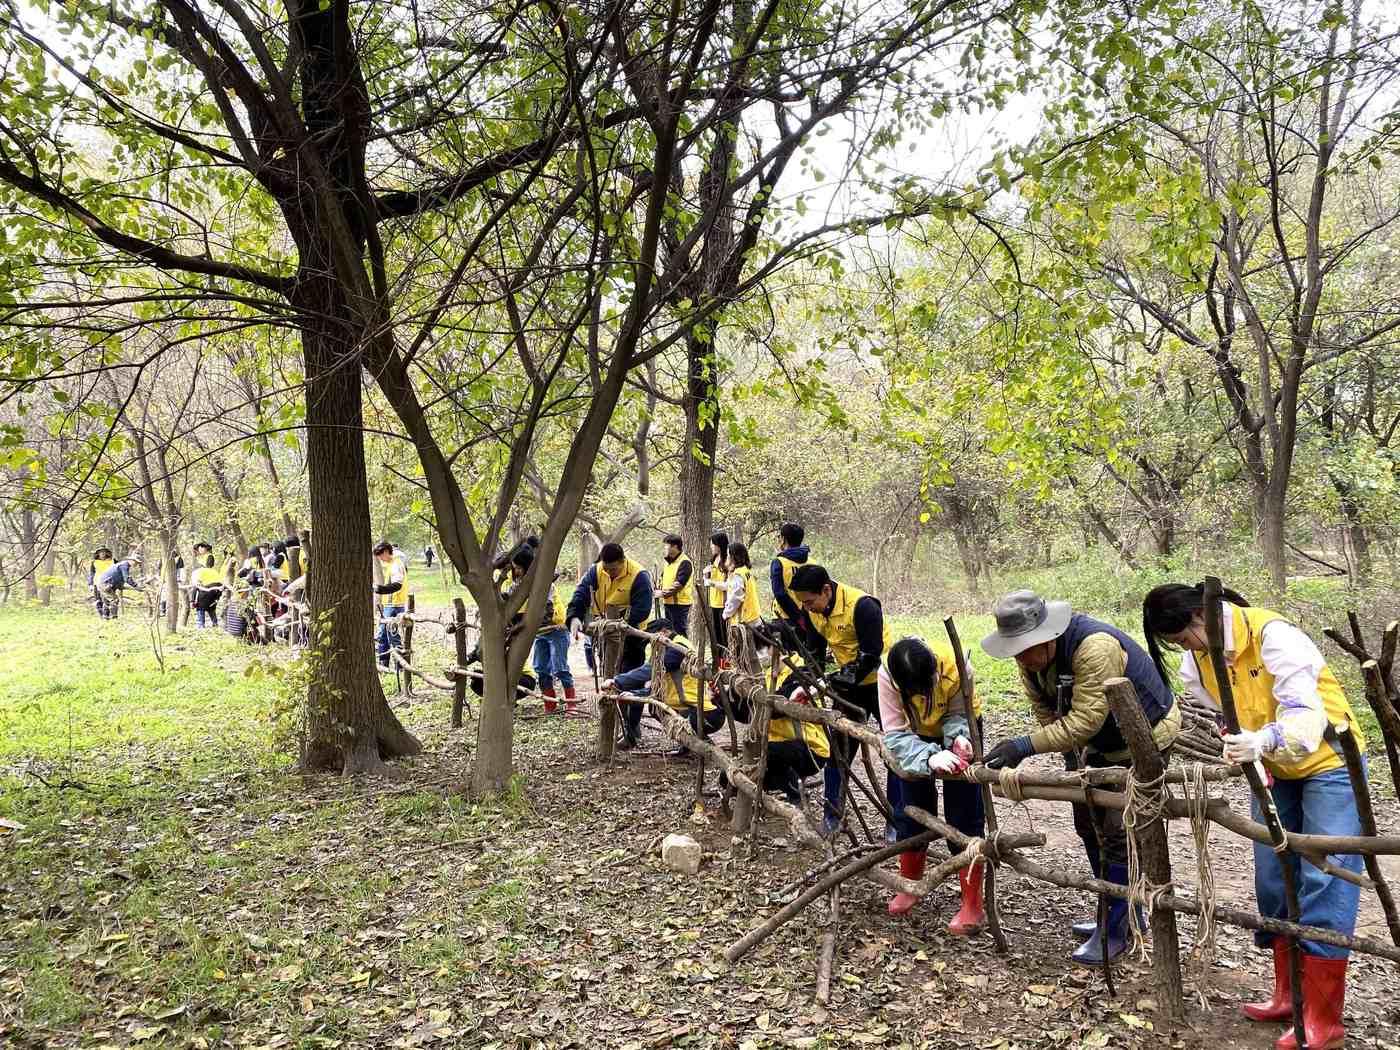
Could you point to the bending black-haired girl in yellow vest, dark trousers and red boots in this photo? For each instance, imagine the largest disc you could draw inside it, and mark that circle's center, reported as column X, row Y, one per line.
column 926, row 729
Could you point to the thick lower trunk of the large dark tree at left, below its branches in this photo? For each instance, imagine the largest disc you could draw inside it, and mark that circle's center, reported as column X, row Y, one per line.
column 349, row 724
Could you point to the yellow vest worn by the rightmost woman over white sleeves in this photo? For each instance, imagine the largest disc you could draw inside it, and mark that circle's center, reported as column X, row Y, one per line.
column 1255, row 703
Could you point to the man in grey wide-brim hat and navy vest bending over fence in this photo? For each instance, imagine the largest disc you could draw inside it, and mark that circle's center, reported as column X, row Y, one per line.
column 1065, row 660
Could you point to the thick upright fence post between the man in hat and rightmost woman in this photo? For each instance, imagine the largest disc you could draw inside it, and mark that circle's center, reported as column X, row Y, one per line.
column 1151, row 843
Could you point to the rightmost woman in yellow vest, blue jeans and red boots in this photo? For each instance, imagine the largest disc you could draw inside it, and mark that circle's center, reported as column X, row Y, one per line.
column 1286, row 696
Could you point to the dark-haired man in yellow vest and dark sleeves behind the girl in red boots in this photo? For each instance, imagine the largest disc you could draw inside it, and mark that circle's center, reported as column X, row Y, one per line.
column 852, row 625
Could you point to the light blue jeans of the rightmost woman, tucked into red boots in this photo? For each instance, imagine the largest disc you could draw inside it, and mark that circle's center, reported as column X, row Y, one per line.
column 1322, row 804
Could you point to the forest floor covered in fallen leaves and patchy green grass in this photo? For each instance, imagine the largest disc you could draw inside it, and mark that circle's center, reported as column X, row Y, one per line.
column 178, row 887
